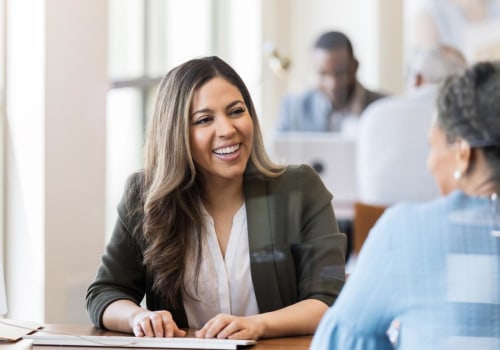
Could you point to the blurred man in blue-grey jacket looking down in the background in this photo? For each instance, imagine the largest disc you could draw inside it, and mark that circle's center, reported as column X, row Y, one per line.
column 338, row 95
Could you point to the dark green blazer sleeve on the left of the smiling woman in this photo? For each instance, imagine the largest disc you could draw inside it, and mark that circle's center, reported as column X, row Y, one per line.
column 121, row 274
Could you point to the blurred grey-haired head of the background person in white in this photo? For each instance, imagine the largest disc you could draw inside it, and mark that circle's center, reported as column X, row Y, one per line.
column 434, row 64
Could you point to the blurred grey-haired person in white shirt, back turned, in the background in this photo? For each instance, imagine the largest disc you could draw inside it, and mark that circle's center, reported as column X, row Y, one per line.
column 392, row 141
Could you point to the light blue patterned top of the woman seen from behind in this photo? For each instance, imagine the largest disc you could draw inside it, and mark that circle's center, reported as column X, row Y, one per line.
column 432, row 268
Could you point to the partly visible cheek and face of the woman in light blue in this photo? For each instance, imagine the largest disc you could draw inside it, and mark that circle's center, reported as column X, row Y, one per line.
column 441, row 161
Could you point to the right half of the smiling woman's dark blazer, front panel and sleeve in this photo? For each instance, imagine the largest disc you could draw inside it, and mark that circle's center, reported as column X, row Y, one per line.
column 297, row 251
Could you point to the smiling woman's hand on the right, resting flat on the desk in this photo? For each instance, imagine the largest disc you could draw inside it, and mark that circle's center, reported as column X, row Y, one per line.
column 225, row 326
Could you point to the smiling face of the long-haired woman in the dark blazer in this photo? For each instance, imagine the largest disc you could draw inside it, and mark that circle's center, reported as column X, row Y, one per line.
column 221, row 131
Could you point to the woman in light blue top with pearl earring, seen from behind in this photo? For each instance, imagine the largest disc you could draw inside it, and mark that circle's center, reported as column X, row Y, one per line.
column 428, row 276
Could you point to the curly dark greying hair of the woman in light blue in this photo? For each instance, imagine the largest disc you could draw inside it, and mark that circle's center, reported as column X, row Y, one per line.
column 468, row 108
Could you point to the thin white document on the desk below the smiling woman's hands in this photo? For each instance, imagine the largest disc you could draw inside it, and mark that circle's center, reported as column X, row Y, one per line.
column 137, row 342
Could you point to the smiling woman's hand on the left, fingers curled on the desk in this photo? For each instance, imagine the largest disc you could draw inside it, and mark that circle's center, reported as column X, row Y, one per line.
column 155, row 324
